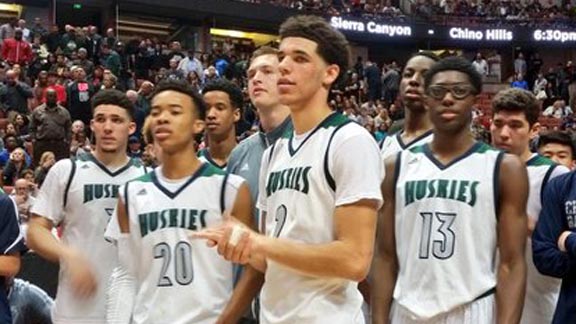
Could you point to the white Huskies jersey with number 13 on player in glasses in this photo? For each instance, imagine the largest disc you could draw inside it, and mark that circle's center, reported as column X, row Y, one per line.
column 445, row 228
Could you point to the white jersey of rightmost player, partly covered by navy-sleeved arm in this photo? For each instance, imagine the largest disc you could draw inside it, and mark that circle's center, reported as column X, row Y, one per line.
column 541, row 291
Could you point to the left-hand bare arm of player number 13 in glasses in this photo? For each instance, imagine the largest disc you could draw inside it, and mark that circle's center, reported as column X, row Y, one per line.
column 385, row 263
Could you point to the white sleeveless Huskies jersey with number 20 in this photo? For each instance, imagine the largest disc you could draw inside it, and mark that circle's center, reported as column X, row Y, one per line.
column 179, row 280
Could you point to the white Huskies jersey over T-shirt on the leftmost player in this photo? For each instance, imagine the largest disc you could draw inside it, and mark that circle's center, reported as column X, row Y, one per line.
column 81, row 195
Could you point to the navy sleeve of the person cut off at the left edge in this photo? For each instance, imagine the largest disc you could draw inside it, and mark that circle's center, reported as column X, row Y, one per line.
column 11, row 238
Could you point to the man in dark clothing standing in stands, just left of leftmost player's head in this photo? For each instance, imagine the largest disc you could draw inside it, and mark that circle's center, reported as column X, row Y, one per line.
column 50, row 129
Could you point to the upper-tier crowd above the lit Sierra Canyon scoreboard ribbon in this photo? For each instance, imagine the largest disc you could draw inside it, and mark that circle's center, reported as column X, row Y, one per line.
column 442, row 11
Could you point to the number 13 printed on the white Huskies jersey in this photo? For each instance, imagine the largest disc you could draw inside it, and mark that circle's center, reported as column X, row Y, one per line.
column 442, row 248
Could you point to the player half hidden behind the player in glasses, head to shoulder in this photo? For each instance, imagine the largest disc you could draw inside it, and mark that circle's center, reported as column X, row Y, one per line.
column 417, row 127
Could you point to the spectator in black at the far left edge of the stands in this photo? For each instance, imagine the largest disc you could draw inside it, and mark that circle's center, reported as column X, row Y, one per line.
column 14, row 95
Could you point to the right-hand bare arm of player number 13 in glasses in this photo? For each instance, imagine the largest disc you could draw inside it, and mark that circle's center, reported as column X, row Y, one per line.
column 512, row 224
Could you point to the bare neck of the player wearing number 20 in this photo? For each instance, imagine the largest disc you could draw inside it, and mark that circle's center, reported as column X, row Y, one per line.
column 180, row 164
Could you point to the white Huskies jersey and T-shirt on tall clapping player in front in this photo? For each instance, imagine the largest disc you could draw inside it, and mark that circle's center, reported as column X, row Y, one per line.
column 303, row 179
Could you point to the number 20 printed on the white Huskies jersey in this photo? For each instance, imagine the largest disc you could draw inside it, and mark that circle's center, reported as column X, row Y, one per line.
column 183, row 271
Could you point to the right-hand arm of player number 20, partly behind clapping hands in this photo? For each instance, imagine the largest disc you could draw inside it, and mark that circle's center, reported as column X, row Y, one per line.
column 251, row 280
